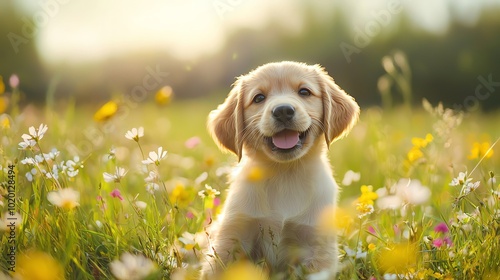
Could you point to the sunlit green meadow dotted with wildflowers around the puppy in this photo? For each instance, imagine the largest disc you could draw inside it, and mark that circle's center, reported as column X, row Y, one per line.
column 420, row 197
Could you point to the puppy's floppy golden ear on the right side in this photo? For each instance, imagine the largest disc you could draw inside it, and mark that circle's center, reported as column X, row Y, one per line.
column 340, row 110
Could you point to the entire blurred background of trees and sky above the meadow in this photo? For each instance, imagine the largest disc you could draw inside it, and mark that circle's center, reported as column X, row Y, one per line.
column 89, row 50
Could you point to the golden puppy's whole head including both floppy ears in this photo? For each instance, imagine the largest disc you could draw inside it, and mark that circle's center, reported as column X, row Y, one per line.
column 280, row 110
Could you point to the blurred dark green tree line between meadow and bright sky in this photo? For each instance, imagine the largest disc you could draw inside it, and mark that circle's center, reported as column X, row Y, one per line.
column 460, row 67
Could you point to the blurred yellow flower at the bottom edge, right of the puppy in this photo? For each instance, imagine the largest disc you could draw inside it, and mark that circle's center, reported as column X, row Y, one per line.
column 397, row 259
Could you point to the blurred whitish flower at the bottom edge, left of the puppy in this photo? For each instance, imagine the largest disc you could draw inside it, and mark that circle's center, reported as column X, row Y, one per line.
column 132, row 267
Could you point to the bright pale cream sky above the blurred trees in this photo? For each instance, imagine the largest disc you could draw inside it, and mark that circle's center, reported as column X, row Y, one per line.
column 83, row 30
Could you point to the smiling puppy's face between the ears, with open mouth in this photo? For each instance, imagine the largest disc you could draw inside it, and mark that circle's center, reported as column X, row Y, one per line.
column 282, row 112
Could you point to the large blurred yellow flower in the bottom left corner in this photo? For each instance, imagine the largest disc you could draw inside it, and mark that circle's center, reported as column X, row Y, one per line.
column 38, row 266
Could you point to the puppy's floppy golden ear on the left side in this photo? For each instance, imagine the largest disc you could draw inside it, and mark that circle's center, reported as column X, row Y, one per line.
column 225, row 124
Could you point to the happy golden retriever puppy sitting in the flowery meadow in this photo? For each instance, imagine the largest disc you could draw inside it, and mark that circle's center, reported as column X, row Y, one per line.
column 279, row 120
